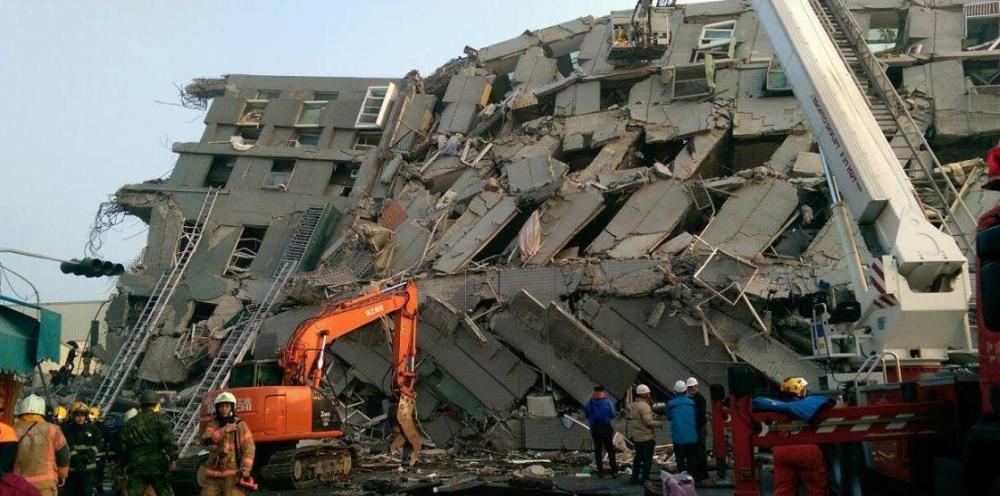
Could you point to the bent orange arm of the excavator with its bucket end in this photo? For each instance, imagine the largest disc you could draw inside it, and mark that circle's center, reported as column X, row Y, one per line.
column 302, row 357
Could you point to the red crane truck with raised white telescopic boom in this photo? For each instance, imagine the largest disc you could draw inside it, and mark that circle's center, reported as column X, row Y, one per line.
column 922, row 430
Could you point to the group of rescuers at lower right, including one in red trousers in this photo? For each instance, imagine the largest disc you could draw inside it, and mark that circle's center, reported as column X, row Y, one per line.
column 687, row 415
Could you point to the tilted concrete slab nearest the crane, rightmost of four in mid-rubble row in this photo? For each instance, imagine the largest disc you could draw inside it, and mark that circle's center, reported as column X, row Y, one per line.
column 752, row 217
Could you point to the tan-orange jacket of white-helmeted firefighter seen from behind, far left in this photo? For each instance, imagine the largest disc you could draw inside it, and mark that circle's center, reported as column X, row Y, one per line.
column 36, row 453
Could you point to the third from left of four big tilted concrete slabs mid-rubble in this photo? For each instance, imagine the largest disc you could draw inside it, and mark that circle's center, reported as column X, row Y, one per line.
column 648, row 217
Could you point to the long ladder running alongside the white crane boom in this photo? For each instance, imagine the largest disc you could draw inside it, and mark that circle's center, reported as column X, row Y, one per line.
column 938, row 192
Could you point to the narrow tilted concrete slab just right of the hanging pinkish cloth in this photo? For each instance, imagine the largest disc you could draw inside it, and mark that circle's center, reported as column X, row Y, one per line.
column 564, row 215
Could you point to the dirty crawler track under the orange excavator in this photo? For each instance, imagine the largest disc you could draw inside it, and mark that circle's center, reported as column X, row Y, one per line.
column 306, row 468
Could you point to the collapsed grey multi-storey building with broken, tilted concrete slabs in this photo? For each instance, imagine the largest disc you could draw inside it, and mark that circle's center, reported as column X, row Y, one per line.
column 570, row 219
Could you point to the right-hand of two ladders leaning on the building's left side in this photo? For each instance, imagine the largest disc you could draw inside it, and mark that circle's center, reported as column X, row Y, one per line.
column 242, row 335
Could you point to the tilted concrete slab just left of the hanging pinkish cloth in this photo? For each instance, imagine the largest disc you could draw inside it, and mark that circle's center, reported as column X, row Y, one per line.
column 486, row 215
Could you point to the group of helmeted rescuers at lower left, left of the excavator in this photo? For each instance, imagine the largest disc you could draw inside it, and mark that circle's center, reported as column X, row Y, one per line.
column 70, row 451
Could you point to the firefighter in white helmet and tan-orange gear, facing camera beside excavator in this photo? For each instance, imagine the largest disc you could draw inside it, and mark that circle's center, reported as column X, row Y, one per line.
column 230, row 457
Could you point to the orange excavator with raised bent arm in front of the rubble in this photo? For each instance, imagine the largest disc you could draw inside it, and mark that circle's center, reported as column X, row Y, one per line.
column 283, row 402
